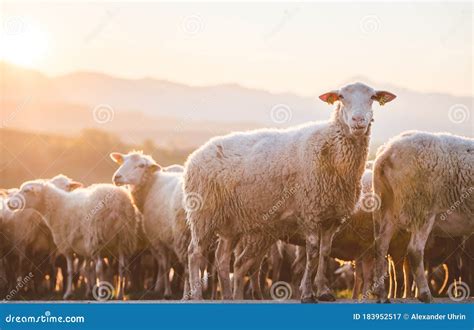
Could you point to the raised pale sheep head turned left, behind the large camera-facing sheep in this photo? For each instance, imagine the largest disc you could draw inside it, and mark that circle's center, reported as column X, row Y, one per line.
column 134, row 169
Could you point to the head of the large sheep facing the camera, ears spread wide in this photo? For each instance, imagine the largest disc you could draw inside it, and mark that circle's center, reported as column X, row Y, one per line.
column 355, row 105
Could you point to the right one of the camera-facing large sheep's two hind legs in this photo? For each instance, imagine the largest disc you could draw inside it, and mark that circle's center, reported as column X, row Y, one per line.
column 223, row 256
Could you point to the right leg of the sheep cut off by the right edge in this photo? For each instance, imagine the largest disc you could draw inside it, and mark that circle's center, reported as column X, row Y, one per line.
column 416, row 248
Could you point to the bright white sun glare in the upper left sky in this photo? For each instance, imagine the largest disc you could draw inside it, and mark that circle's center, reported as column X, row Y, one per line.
column 26, row 47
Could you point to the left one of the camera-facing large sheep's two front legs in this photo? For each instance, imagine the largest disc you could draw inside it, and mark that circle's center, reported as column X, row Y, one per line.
column 306, row 287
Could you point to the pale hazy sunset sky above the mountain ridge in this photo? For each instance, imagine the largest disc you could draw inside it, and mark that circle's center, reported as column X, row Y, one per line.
column 298, row 47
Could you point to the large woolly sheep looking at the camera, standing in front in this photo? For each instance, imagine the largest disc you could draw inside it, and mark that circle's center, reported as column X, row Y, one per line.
column 239, row 178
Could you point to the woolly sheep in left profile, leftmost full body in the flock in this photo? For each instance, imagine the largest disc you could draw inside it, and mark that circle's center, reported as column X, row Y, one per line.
column 91, row 222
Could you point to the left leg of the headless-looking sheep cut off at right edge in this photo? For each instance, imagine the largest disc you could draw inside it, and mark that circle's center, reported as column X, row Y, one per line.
column 383, row 236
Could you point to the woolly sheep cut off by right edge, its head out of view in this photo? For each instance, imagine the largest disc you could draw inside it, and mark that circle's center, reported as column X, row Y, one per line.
column 426, row 183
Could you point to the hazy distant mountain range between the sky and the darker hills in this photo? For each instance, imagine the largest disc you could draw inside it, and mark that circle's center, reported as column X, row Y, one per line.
column 178, row 115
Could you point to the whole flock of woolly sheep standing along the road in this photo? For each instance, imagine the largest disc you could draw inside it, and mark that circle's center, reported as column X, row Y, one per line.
column 296, row 213
